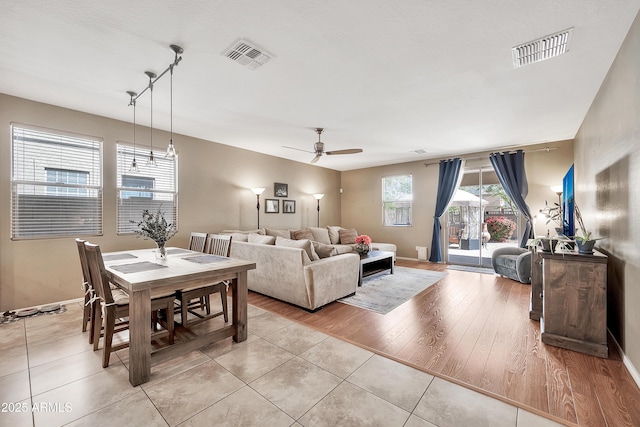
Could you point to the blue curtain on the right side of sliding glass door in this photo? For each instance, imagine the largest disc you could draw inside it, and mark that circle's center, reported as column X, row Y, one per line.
column 510, row 170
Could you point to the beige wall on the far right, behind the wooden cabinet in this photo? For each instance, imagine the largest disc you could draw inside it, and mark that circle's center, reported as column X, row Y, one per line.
column 607, row 171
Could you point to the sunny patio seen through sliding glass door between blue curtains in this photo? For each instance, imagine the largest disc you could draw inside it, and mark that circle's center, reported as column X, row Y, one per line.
column 480, row 219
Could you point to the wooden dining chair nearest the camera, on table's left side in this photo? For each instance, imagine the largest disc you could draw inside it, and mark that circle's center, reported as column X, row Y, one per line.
column 114, row 305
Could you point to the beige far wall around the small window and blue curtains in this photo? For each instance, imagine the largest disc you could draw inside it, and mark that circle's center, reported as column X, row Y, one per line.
column 362, row 190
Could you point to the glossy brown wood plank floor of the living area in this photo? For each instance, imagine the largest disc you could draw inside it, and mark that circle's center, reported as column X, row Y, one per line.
column 475, row 329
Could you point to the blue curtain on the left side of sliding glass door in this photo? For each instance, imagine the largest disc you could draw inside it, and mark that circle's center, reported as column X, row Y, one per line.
column 447, row 182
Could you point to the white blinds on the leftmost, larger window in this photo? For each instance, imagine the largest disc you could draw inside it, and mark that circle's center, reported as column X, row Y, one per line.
column 56, row 183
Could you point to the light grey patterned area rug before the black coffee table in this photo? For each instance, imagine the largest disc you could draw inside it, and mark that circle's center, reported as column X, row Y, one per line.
column 384, row 292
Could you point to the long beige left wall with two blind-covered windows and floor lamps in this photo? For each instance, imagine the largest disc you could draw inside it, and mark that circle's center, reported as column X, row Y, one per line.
column 213, row 195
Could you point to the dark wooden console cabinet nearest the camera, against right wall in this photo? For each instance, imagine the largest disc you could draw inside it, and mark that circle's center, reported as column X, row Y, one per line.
column 574, row 302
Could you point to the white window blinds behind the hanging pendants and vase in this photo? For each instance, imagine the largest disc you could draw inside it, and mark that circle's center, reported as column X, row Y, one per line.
column 154, row 188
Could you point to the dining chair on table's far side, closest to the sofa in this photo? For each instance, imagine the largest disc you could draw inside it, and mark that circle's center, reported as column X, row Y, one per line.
column 220, row 245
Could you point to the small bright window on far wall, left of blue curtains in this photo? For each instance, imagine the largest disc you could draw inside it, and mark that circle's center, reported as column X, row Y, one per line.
column 397, row 199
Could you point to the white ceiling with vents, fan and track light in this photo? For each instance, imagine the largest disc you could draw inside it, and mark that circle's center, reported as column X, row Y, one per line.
column 390, row 77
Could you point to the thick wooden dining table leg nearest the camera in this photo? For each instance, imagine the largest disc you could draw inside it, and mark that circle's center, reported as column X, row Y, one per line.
column 139, row 337
